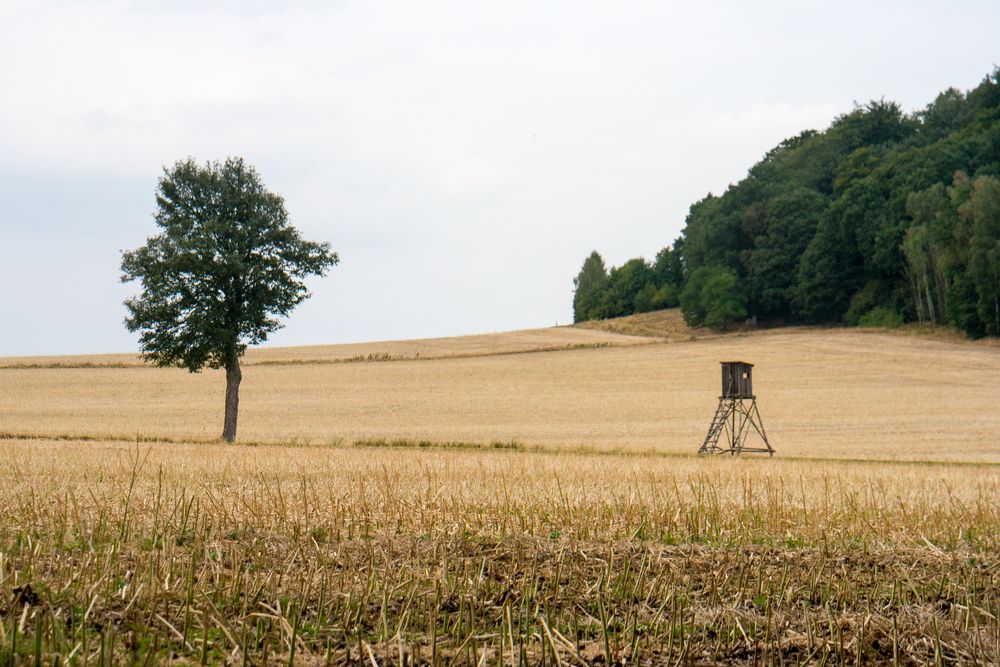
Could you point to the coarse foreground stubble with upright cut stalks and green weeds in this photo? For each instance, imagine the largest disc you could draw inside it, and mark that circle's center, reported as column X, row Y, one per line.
column 111, row 552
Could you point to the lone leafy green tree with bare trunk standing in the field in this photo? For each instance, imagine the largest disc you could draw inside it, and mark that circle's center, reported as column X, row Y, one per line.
column 226, row 265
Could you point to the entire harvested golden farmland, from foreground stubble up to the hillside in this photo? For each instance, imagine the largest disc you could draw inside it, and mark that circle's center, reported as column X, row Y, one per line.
column 523, row 499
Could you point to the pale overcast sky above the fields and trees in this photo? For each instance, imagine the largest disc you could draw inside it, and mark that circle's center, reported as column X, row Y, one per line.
column 463, row 158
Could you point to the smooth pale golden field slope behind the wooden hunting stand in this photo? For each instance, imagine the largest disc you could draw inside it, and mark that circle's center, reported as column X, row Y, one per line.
column 826, row 394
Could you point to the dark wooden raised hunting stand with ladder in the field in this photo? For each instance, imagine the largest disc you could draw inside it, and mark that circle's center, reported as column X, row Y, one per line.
column 737, row 418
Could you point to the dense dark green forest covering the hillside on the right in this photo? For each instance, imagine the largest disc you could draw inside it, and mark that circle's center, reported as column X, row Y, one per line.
column 885, row 217
